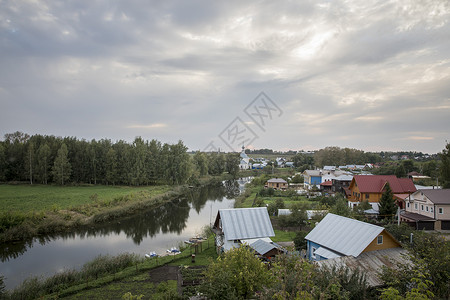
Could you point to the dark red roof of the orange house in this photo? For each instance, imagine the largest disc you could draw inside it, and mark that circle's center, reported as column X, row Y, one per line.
column 375, row 183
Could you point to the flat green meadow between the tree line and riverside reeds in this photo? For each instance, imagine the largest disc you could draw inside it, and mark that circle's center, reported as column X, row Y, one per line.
column 37, row 198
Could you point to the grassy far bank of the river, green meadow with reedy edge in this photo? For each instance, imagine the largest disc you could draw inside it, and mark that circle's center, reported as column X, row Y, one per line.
column 28, row 211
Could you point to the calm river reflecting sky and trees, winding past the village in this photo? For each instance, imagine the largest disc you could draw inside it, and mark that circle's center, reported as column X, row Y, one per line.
column 154, row 230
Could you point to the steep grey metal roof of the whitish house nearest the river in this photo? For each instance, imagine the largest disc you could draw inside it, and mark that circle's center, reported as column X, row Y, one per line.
column 246, row 223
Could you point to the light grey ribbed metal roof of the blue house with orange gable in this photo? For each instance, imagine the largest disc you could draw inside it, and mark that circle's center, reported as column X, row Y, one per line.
column 344, row 235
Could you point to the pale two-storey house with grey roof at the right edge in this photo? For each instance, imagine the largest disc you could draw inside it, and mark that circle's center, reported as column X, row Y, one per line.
column 428, row 209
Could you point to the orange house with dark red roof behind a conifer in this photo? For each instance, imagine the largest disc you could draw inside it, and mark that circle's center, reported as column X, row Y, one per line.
column 371, row 187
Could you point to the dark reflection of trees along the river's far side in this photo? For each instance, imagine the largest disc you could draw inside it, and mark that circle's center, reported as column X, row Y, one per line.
column 170, row 217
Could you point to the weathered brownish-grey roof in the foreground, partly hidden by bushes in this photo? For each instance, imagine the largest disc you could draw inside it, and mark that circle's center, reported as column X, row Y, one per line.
column 369, row 263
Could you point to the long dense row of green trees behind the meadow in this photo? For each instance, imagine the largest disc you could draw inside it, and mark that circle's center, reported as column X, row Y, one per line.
column 49, row 159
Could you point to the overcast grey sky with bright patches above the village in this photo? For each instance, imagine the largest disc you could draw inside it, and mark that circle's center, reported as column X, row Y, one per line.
column 283, row 75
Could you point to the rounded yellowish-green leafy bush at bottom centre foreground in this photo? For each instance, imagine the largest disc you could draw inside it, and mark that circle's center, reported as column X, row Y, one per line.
column 236, row 274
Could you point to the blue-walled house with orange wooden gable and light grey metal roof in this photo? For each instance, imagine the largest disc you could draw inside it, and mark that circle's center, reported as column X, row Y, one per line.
column 336, row 236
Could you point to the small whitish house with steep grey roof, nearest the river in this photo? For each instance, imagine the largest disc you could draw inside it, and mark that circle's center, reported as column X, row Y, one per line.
column 235, row 227
